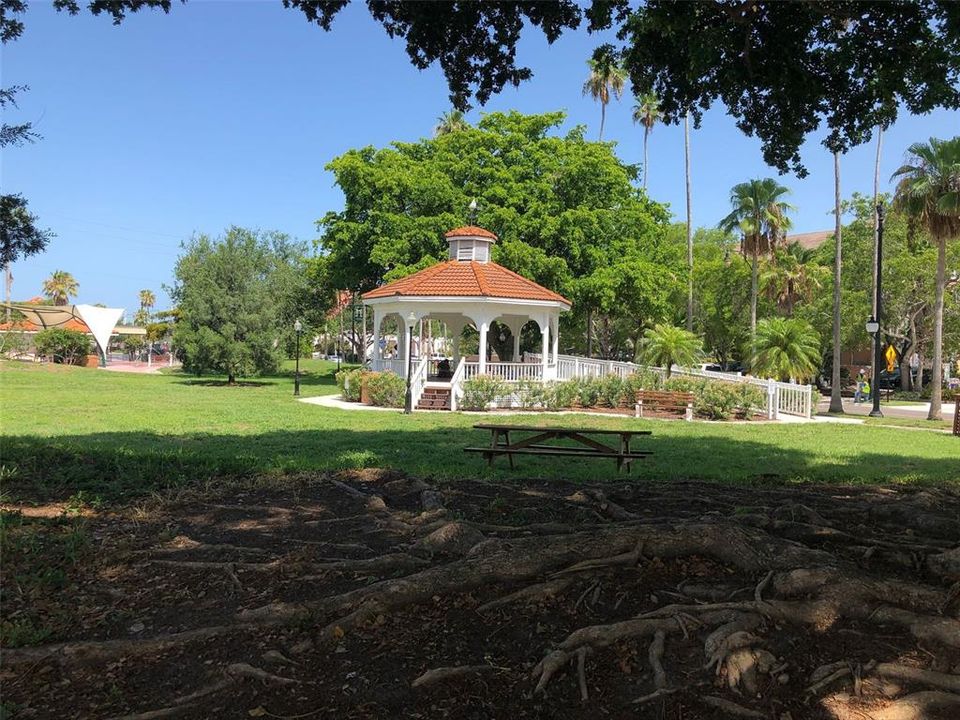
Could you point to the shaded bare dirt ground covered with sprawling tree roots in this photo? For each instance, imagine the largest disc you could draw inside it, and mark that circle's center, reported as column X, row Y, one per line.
column 372, row 595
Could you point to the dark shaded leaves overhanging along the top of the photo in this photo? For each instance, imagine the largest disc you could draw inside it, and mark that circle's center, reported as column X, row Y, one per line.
column 783, row 70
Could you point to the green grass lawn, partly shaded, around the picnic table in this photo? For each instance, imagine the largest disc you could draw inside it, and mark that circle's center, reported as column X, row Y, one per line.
column 89, row 434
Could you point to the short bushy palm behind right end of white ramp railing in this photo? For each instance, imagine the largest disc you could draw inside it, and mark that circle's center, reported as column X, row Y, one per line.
column 786, row 349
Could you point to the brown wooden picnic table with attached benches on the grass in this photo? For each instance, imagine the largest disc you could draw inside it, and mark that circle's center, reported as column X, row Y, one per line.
column 535, row 443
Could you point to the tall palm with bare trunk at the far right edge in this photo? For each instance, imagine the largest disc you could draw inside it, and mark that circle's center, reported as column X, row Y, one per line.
column 929, row 190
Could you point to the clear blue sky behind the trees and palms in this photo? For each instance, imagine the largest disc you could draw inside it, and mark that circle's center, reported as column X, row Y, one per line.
column 226, row 113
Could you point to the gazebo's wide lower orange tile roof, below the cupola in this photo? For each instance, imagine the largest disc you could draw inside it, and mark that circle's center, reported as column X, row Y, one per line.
column 455, row 278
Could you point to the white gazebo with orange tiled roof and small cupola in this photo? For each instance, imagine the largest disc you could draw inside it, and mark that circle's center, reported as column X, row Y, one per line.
column 467, row 289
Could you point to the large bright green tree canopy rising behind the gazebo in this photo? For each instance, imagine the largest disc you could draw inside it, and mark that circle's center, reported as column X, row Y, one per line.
column 567, row 213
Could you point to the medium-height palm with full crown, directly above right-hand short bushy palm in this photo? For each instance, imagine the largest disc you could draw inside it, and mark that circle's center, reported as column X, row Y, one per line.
column 760, row 214
